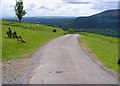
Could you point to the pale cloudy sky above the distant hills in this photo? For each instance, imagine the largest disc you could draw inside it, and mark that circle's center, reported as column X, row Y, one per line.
column 58, row 7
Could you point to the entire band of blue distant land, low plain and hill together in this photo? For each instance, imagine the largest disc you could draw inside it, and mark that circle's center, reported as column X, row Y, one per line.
column 105, row 23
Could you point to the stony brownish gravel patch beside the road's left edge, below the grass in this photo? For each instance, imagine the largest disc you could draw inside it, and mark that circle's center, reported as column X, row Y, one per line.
column 20, row 71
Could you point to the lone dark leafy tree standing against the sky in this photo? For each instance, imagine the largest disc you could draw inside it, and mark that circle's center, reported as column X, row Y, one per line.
column 19, row 11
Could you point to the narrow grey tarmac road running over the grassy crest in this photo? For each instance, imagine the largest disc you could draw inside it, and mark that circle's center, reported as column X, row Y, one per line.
column 64, row 62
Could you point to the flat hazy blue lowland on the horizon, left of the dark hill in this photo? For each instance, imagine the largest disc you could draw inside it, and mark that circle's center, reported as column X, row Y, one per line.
column 62, row 22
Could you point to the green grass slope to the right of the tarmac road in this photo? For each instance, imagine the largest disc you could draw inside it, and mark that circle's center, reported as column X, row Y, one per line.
column 104, row 48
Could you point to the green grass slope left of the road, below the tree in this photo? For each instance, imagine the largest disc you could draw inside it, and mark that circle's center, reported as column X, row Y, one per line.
column 34, row 35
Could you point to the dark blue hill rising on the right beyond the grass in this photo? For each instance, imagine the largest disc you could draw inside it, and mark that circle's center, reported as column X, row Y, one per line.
column 103, row 23
